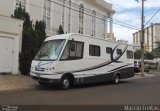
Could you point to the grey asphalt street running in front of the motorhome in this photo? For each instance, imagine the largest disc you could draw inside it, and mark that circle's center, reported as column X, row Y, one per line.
column 141, row 91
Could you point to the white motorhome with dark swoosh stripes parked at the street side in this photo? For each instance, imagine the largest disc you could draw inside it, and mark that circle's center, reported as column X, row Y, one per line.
column 75, row 59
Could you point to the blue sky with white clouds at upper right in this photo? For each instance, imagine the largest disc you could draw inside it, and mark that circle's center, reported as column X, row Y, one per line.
column 129, row 12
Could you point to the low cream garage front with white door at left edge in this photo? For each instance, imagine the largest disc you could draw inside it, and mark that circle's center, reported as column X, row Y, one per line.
column 10, row 44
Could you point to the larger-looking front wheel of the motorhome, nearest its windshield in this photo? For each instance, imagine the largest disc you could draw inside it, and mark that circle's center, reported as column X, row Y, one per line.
column 65, row 83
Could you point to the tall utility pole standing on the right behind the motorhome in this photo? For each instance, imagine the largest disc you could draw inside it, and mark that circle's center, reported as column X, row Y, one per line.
column 142, row 41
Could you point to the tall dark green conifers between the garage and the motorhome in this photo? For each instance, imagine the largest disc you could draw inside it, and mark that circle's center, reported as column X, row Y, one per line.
column 32, row 39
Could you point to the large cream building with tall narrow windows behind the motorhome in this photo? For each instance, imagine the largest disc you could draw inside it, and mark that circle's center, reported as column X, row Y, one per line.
column 90, row 17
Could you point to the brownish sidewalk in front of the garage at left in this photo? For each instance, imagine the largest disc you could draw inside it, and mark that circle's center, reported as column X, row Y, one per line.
column 14, row 82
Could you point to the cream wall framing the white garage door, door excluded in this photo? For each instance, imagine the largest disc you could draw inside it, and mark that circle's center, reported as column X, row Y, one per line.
column 12, row 28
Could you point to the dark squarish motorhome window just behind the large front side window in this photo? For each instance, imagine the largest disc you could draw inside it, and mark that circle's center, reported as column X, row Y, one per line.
column 94, row 50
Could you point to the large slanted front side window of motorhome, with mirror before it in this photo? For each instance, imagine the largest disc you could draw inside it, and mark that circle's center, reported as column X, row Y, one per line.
column 73, row 51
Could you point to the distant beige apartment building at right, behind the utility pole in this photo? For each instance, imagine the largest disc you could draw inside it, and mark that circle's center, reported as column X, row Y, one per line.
column 151, row 35
